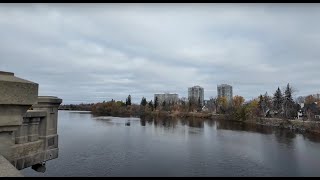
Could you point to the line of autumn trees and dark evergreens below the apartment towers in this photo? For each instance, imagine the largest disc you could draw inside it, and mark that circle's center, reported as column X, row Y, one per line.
column 280, row 105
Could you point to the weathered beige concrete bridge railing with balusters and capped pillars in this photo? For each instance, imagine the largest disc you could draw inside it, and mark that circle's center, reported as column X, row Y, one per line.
column 27, row 137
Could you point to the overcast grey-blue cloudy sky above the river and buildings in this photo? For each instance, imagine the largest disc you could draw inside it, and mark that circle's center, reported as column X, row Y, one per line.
column 94, row 52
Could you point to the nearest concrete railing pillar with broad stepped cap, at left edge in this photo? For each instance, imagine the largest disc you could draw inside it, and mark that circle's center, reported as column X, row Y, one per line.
column 16, row 97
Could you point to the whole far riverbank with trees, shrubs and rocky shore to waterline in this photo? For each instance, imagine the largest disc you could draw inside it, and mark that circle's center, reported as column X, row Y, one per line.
column 278, row 111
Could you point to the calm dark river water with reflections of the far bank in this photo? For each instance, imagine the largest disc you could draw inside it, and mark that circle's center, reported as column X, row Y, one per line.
column 106, row 147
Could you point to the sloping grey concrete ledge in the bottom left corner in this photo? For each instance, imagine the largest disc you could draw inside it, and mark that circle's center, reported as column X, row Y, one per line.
column 7, row 169
